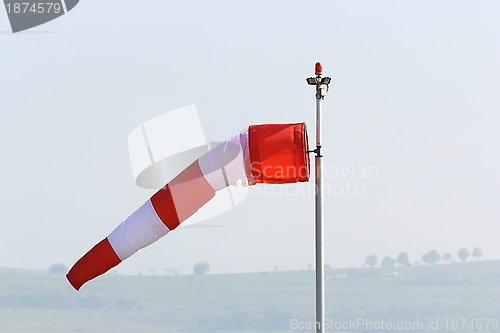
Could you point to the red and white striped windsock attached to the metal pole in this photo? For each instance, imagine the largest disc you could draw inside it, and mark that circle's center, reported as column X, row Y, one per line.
column 271, row 154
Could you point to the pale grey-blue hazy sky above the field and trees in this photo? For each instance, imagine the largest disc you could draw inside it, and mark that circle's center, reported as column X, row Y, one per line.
column 414, row 94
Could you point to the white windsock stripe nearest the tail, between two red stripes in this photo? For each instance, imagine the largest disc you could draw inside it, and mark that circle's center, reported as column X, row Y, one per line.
column 137, row 231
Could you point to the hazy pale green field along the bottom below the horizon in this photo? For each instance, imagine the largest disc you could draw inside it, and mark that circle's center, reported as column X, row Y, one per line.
column 258, row 302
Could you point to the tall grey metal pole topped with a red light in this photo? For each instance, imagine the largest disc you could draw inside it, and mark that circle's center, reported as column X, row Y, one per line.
column 322, row 84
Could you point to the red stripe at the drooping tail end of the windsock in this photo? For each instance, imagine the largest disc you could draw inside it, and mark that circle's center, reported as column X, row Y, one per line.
column 100, row 259
